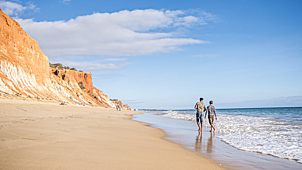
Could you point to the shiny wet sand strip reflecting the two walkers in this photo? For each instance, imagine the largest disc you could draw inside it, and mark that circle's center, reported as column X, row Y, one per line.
column 210, row 146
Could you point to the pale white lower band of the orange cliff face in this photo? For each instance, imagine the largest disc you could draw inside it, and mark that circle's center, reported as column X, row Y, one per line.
column 18, row 81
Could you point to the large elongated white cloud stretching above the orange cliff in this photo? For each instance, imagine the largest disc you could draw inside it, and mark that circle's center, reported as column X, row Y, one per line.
column 123, row 33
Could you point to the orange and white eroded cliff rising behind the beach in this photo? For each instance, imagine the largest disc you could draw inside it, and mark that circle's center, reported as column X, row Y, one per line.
column 25, row 72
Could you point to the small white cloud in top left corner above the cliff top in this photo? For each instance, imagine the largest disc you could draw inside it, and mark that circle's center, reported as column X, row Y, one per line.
column 14, row 9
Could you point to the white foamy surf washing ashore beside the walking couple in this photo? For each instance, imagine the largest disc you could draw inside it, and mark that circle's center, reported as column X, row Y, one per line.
column 266, row 135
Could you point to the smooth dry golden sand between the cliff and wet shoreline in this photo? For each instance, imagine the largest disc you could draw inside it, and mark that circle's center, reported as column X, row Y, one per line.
column 49, row 136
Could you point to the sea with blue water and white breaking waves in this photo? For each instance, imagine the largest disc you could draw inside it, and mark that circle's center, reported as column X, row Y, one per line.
column 270, row 131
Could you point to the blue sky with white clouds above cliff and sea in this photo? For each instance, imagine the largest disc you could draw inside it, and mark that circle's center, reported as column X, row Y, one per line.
column 167, row 54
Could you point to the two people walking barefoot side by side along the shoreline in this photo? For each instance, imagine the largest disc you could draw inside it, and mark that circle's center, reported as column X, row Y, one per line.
column 200, row 106
